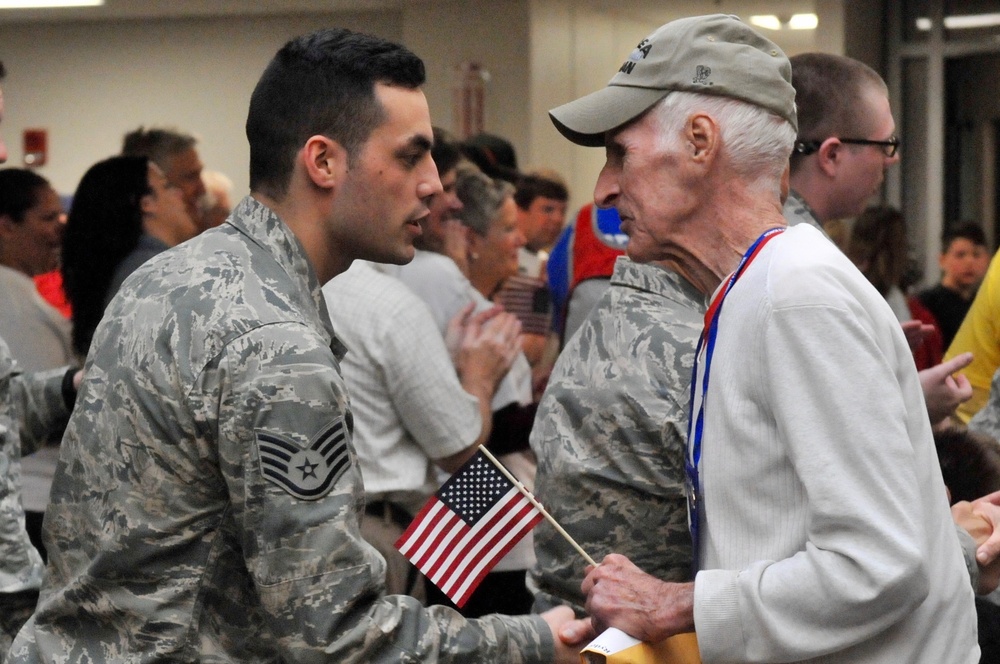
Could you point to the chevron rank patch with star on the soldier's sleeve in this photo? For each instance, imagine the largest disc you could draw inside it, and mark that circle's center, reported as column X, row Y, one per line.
column 306, row 473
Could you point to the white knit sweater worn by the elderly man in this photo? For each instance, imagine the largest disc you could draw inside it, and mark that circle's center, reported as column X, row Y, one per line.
column 826, row 534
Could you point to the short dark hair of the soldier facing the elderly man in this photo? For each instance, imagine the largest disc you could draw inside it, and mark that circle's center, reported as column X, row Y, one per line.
column 321, row 83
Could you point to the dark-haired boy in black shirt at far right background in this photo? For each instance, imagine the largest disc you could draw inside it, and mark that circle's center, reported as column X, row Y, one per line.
column 964, row 259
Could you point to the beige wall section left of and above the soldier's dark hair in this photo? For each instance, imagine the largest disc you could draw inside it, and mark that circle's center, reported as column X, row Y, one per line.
column 89, row 83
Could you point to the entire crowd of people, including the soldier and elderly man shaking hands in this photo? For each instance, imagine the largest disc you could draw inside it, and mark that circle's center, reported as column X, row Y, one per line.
column 250, row 403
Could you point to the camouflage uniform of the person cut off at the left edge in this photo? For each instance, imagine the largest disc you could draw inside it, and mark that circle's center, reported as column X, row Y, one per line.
column 32, row 409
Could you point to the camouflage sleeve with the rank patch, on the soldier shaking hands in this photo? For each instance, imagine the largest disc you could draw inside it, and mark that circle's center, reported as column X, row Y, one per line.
column 285, row 452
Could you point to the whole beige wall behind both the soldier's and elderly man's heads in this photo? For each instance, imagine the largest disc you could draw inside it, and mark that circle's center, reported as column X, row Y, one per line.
column 88, row 83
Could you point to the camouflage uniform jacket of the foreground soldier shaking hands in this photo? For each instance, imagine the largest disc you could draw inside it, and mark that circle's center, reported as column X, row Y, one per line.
column 206, row 503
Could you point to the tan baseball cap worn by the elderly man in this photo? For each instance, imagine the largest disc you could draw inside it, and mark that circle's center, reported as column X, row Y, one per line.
column 717, row 54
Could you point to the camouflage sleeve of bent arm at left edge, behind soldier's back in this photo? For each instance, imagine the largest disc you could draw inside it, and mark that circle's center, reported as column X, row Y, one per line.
column 39, row 407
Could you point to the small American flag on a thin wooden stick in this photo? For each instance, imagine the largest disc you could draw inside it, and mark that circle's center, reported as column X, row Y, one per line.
column 475, row 518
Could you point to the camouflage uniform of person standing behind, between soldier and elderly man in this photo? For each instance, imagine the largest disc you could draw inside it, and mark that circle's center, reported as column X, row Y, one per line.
column 611, row 431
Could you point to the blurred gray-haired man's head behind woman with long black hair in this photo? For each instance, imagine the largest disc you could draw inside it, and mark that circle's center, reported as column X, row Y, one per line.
column 176, row 155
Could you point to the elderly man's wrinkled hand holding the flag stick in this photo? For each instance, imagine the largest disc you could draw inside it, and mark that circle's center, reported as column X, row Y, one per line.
column 621, row 595
